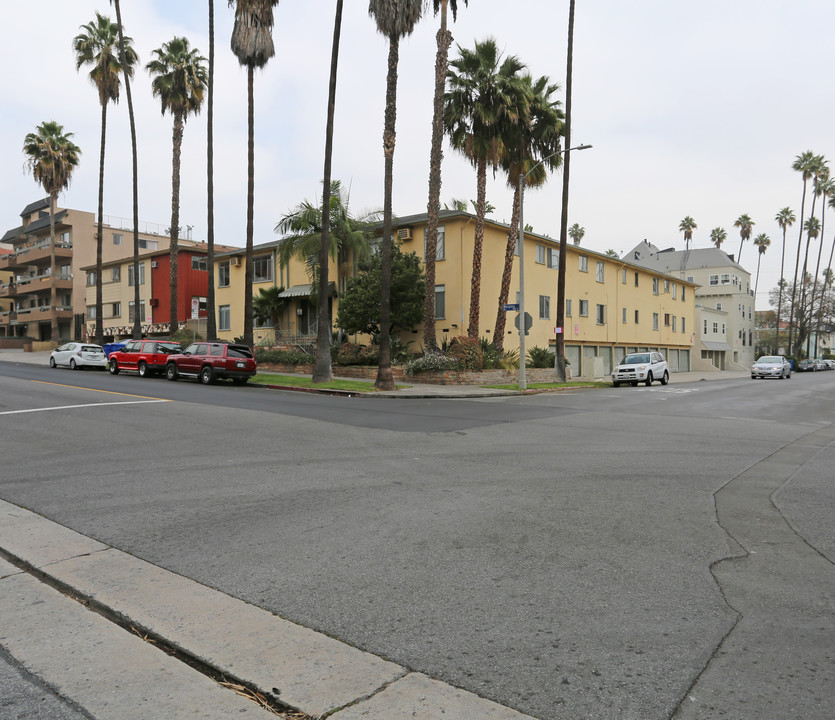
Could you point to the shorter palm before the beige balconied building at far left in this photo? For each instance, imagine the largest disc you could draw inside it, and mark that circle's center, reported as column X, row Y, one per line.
column 51, row 157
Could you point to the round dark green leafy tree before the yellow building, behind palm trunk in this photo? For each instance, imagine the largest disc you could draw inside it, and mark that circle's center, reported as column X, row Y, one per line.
column 359, row 307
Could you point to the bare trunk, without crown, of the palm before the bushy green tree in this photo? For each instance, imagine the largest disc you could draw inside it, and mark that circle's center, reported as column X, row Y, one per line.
column 385, row 380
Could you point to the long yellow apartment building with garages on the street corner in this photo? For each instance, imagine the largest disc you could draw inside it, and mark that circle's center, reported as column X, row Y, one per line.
column 612, row 306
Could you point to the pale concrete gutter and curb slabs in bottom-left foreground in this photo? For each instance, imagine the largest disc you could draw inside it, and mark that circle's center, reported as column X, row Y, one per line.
column 114, row 674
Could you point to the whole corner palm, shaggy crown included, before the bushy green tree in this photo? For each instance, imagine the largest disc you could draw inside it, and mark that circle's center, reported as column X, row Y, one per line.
column 395, row 19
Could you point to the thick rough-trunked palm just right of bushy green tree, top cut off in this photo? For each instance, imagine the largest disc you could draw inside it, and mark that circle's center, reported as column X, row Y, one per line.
column 444, row 40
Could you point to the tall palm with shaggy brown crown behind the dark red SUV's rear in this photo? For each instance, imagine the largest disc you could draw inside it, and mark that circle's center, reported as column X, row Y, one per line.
column 252, row 43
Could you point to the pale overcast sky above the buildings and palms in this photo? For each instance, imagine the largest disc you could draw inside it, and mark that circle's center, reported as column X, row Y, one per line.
column 693, row 108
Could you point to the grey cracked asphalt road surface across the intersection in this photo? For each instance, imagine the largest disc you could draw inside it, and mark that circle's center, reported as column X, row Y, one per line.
column 625, row 553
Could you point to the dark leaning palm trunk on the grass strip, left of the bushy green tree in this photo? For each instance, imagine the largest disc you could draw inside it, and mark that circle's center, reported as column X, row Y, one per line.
column 322, row 370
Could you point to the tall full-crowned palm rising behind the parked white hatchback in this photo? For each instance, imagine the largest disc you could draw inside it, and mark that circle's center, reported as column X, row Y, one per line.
column 98, row 46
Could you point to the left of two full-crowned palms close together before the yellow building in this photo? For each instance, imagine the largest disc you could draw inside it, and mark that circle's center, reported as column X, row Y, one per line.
column 483, row 101
